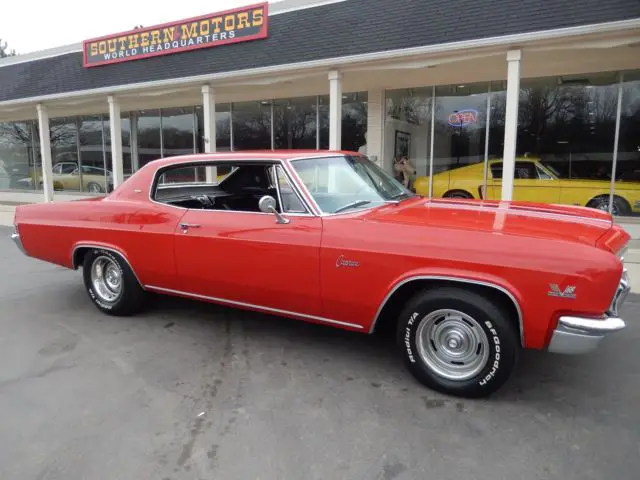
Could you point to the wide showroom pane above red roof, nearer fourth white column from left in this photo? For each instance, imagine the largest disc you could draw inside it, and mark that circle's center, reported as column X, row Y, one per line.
column 294, row 123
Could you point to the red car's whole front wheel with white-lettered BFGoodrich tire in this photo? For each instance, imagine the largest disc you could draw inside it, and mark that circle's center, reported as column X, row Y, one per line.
column 457, row 341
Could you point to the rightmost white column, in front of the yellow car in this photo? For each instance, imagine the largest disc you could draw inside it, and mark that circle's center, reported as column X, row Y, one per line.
column 511, row 123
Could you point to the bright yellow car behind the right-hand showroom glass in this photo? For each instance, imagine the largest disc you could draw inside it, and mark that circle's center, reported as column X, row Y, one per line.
column 533, row 182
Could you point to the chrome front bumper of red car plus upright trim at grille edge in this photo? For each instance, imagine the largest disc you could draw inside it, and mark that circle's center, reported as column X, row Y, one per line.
column 577, row 335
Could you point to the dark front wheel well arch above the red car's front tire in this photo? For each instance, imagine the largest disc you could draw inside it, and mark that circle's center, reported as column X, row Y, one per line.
column 389, row 314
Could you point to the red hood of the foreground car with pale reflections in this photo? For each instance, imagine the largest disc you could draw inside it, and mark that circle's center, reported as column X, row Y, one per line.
column 558, row 222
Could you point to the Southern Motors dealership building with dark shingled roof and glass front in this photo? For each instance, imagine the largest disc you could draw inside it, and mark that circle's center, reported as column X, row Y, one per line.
column 542, row 96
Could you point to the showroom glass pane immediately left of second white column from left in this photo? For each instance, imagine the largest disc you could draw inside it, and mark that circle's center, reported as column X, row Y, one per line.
column 95, row 178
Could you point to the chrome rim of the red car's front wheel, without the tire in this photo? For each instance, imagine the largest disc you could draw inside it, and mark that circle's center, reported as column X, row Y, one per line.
column 452, row 344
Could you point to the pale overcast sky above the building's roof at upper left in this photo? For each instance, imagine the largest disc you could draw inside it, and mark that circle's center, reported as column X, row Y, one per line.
column 30, row 25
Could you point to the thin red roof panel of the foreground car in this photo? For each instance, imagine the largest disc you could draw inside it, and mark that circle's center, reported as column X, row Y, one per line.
column 248, row 155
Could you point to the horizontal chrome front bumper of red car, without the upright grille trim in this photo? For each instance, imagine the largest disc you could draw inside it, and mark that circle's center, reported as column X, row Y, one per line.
column 578, row 335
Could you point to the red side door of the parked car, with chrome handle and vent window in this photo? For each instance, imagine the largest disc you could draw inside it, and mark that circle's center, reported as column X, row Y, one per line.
column 248, row 257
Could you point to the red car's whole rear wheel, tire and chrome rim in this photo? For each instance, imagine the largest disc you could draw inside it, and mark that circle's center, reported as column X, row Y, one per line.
column 111, row 284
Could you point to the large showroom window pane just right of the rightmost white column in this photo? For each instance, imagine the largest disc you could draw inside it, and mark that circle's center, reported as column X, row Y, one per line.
column 566, row 128
